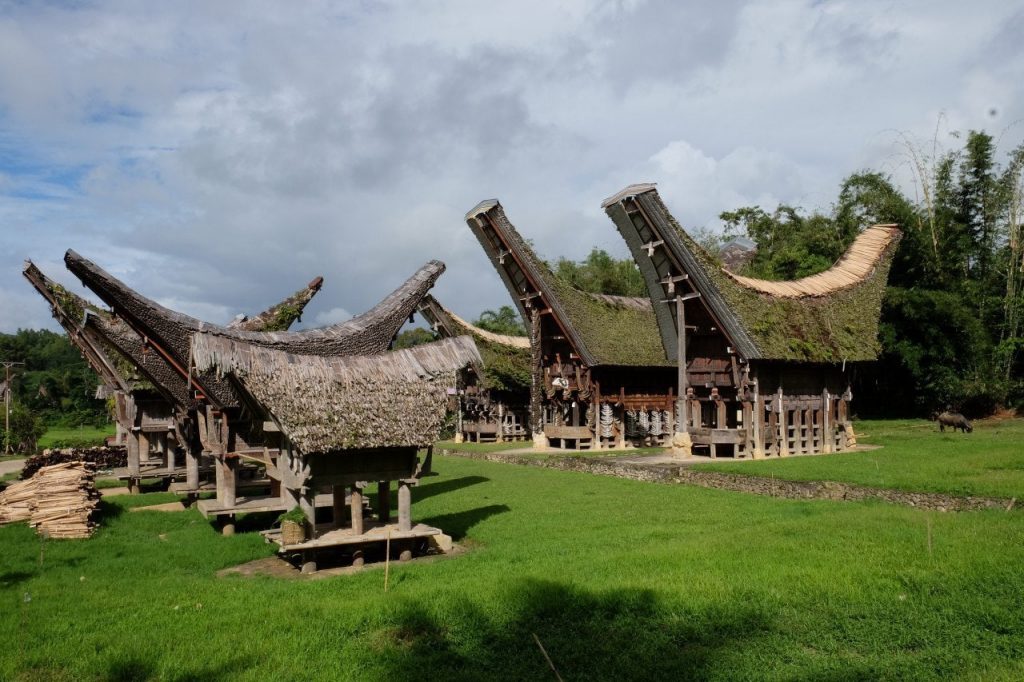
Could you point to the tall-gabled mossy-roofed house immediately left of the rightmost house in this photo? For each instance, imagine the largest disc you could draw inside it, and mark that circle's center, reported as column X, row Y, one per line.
column 600, row 374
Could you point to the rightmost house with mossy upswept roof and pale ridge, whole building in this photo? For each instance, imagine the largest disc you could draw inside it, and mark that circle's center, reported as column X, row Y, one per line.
column 762, row 366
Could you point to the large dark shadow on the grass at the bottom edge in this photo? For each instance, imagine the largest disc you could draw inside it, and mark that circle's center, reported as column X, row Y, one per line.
column 620, row 634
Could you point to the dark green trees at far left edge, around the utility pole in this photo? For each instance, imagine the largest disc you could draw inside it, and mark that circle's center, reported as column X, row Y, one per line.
column 56, row 383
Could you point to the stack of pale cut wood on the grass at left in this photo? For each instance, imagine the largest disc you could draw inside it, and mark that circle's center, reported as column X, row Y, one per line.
column 58, row 501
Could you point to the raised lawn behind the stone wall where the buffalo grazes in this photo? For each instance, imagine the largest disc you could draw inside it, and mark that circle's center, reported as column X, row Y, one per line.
column 915, row 456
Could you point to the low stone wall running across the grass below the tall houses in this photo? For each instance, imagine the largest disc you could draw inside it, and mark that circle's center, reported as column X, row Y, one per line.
column 669, row 474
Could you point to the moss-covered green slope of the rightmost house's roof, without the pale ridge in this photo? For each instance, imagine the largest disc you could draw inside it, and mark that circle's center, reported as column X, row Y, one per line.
column 838, row 326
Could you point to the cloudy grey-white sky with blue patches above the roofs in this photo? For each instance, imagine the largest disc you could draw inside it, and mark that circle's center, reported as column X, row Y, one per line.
column 218, row 156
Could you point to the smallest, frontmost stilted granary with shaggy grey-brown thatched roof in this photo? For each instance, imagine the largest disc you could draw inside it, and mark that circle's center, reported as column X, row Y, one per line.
column 345, row 422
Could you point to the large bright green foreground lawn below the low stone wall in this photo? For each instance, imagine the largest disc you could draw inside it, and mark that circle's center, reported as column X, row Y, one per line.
column 617, row 579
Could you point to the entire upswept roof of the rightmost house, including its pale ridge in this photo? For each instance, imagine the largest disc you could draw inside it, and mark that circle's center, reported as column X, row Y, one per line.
column 828, row 318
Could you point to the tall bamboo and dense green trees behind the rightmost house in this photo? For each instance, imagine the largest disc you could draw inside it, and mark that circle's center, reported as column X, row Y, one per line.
column 953, row 330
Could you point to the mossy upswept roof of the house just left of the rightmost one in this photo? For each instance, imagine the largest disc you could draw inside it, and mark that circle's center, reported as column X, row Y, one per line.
column 604, row 330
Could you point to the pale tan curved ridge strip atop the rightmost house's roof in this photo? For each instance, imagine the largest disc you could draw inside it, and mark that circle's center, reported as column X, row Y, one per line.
column 854, row 268
